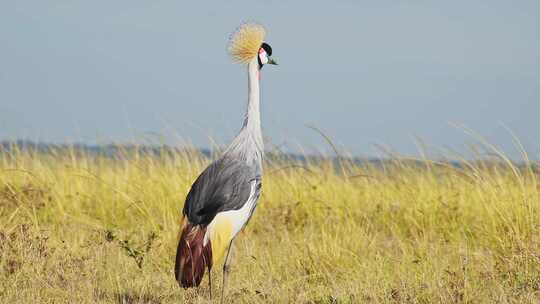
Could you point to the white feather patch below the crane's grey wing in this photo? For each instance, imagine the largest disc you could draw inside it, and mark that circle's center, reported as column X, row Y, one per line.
column 238, row 218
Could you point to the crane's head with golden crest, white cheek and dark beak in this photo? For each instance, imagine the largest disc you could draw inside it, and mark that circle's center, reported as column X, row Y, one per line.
column 247, row 43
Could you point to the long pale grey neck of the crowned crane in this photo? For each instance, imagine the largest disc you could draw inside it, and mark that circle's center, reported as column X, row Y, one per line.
column 248, row 144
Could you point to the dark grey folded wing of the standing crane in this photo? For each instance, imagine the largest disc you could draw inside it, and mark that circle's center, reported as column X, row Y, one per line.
column 225, row 185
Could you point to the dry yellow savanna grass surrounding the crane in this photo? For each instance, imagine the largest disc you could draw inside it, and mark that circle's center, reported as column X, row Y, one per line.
column 77, row 228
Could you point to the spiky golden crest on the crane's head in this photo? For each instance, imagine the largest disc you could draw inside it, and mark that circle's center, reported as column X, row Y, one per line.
column 245, row 42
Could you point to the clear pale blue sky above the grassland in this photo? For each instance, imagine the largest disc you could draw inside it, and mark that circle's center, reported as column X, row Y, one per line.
column 366, row 72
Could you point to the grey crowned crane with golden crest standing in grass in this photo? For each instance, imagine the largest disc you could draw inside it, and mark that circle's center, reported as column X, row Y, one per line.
column 223, row 198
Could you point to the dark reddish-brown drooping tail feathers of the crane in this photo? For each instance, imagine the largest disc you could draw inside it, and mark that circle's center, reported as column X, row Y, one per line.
column 192, row 256
